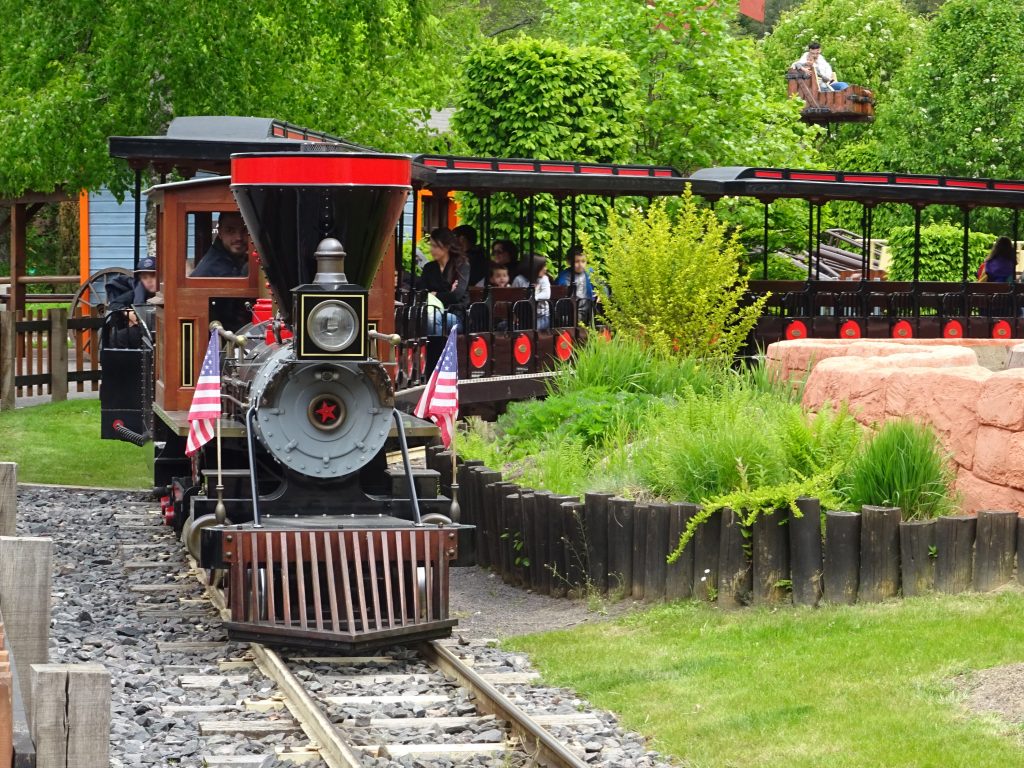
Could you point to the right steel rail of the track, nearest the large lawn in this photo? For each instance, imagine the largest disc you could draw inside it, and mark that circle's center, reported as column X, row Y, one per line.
column 544, row 748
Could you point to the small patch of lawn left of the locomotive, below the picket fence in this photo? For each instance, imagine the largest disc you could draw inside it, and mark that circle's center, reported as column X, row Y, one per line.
column 60, row 444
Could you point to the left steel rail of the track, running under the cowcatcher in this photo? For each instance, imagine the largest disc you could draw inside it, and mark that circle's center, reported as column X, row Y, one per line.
column 333, row 748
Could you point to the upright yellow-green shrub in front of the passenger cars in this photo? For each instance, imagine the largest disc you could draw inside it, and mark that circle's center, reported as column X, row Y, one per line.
column 676, row 282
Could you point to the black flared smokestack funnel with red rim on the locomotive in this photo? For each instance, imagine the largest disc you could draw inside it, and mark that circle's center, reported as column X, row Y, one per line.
column 290, row 202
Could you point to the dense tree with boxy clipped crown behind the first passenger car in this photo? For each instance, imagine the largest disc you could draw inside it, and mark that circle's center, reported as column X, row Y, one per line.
column 541, row 99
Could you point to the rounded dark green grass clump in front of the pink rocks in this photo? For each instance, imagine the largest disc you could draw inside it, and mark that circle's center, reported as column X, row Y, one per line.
column 906, row 466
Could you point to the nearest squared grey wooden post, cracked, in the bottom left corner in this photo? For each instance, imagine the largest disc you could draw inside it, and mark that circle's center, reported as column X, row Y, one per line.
column 71, row 717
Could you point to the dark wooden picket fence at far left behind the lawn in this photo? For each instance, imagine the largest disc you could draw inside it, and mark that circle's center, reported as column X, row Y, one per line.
column 32, row 365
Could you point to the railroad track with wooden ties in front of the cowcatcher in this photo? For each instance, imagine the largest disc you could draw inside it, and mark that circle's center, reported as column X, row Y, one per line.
column 436, row 703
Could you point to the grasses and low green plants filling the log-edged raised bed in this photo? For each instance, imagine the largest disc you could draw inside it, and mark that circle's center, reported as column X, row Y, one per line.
column 679, row 430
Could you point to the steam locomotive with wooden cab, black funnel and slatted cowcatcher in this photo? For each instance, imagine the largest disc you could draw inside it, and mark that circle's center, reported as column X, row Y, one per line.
column 323, row 541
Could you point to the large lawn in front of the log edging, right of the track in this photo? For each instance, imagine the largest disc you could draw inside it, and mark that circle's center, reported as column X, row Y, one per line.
column 867, row 686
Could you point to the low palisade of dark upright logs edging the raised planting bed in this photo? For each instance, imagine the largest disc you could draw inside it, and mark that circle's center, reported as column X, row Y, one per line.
column 560, row 544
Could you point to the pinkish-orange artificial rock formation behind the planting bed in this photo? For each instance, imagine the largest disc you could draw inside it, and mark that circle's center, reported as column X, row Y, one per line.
column 977, row 413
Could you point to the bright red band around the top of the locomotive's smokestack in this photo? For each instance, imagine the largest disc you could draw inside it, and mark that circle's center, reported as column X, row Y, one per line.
column 362, row 170
